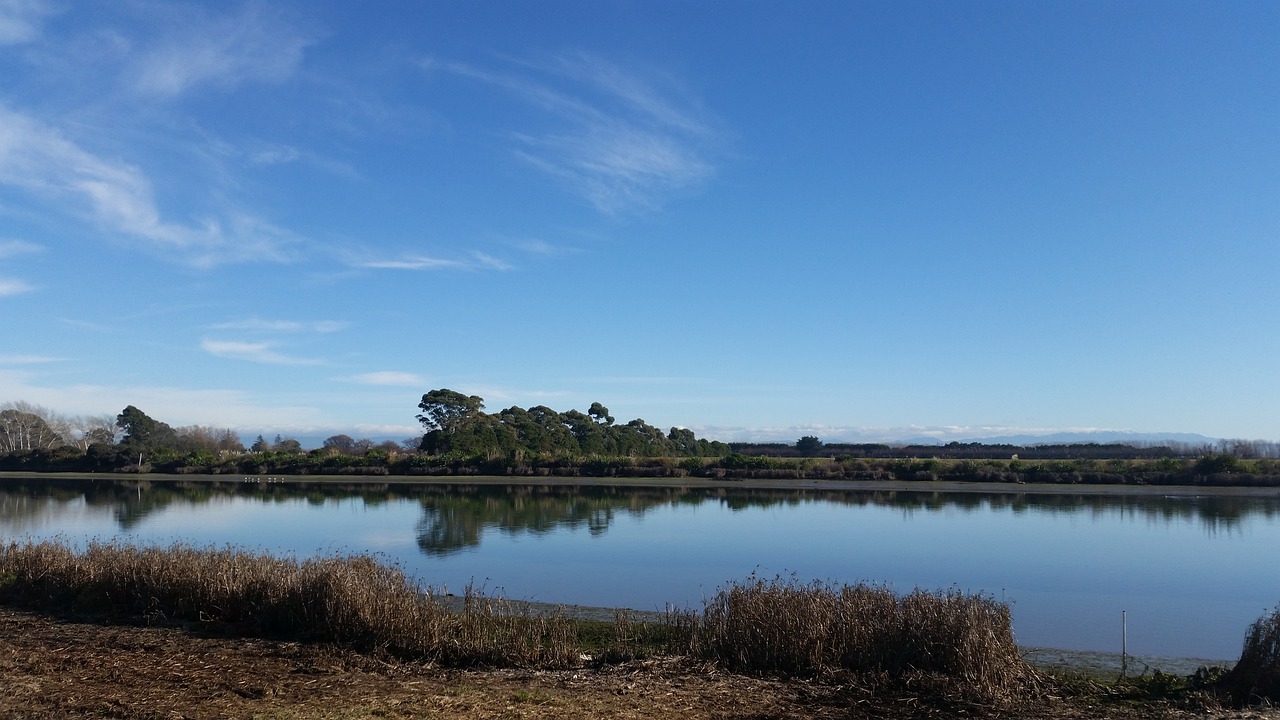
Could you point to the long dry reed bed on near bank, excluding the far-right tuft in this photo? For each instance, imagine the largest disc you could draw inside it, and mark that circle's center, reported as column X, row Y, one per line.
column 781, row 627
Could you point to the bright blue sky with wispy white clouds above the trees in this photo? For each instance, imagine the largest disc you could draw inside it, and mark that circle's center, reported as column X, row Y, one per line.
column 757, row 220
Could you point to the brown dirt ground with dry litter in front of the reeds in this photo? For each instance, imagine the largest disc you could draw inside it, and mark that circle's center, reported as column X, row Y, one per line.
column 54, row 669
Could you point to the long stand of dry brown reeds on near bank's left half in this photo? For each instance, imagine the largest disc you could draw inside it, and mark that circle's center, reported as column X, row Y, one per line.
column 354, row 601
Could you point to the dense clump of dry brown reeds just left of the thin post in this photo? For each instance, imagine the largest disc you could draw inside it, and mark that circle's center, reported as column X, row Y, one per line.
column 784, row 627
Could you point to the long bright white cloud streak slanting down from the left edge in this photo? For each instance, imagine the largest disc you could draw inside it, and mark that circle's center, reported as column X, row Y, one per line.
column 40, row 160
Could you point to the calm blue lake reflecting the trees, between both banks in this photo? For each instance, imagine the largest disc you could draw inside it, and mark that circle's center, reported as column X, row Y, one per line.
column 1191, row 572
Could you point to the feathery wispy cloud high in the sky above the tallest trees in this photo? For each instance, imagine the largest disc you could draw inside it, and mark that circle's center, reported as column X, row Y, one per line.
column 619, row 139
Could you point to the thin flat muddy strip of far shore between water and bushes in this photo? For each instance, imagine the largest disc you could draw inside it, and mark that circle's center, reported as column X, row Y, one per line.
column 701, row 484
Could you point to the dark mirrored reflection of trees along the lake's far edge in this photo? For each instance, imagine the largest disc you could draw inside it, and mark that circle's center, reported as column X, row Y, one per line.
column 456, row 517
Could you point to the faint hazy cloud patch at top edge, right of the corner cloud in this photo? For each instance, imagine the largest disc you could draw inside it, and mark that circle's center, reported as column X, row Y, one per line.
column 200, row 49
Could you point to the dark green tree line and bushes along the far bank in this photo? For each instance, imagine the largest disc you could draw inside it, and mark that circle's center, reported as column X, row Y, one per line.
column 461, row 439
